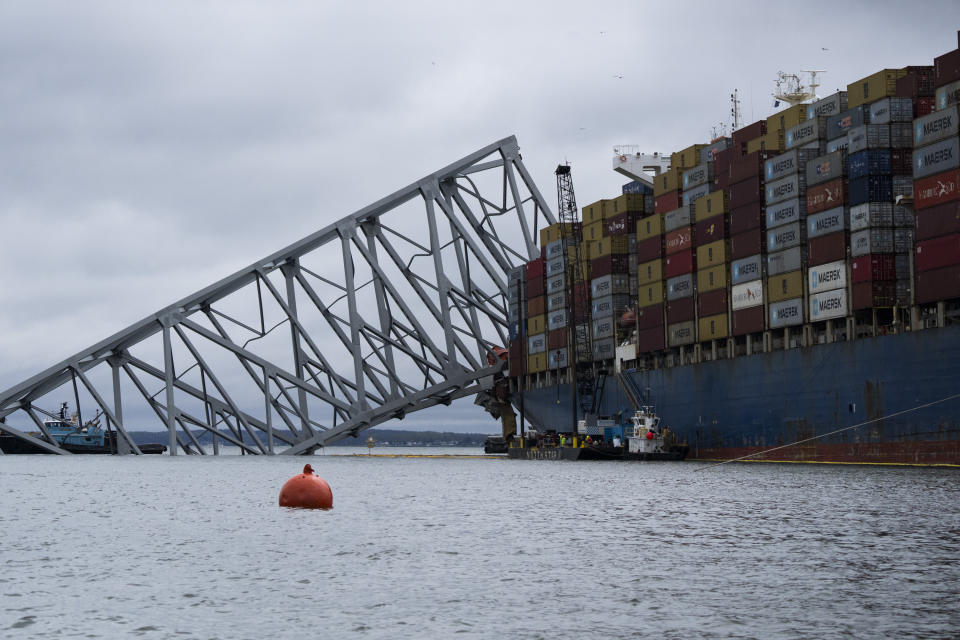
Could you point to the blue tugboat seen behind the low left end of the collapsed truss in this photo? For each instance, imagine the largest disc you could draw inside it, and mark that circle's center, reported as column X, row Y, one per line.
column 70, row 435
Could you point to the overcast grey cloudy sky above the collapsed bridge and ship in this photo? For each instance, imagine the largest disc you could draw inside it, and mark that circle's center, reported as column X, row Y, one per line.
column 149, row 149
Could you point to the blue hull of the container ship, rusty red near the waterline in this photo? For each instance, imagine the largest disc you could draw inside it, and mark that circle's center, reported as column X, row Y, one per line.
column 728, row 408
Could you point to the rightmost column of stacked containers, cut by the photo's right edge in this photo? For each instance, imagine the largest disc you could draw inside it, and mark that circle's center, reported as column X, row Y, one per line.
column 936, row 171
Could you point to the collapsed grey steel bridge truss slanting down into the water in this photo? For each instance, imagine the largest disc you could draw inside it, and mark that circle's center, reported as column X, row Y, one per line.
column 406, row 322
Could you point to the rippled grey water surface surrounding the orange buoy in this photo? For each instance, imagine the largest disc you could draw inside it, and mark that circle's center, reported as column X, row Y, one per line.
column 192, row 547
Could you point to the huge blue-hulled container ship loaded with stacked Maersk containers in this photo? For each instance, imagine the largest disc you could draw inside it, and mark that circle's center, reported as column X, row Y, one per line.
column 790, row 292
